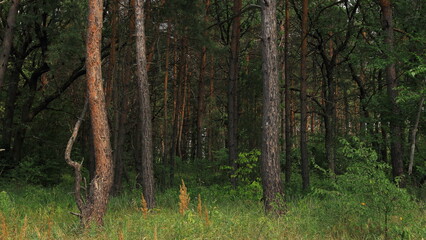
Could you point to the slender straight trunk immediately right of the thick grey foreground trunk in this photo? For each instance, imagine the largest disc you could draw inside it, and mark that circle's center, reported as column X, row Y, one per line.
column 287, row 97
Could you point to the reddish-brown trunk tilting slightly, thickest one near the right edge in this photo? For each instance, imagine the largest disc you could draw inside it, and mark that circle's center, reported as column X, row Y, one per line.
column 392, row 84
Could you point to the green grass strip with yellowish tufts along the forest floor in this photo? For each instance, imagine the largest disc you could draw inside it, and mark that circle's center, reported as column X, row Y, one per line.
column 40, row 213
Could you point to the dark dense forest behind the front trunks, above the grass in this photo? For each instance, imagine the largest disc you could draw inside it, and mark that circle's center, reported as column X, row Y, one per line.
column 351, row 96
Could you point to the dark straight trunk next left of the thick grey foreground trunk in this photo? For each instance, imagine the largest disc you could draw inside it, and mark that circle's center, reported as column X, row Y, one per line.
column 232, row 87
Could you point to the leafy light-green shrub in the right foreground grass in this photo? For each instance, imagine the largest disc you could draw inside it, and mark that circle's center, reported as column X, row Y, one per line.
column 364, row 199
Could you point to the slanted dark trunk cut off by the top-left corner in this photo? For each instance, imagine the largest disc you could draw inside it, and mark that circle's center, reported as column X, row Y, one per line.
column 8, row 39
